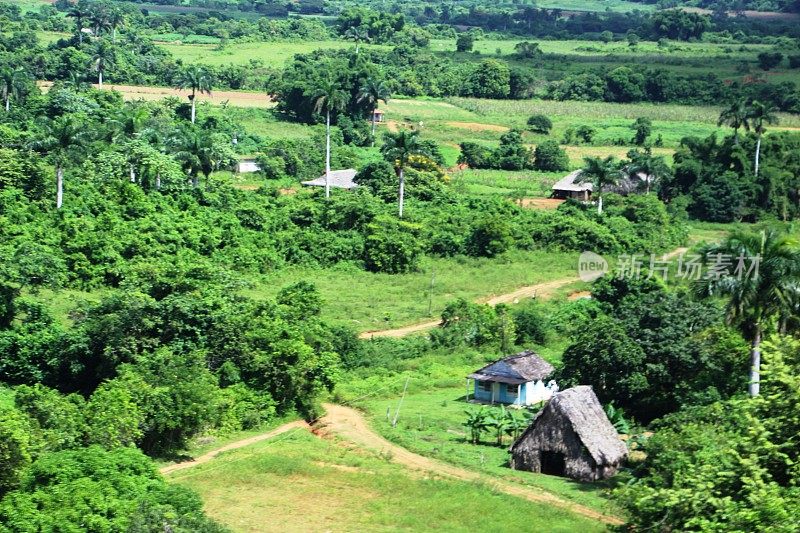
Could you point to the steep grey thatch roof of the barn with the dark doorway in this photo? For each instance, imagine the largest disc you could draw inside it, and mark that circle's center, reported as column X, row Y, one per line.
column 580, row 406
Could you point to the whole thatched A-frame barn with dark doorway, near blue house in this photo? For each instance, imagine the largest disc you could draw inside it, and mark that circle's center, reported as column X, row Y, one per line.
column 572, row 437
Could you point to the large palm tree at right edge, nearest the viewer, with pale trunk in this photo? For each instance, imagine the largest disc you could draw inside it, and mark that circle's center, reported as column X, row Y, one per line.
column 758, row 297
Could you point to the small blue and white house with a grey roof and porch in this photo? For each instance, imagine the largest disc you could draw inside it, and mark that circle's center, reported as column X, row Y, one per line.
column 514, row 380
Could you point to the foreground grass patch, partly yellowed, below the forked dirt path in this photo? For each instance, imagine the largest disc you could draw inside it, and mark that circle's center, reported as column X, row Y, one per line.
column 299, row 482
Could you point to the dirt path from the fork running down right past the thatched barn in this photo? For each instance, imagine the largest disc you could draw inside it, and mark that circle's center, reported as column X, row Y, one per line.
column 350, row 425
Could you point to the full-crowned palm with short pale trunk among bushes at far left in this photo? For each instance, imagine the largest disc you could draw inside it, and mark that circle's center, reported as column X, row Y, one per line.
column 64, row 137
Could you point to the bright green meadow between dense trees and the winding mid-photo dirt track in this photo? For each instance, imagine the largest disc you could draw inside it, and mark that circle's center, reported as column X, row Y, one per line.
column 369, row 301
